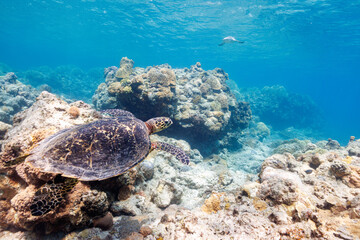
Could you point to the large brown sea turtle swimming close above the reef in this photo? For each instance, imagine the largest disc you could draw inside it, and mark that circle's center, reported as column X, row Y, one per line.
column 94, row 151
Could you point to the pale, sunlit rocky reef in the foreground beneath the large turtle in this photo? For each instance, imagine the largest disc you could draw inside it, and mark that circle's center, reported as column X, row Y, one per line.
column 303, row 191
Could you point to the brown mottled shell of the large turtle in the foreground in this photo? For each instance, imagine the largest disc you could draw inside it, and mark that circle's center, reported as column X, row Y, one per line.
column 94, row 151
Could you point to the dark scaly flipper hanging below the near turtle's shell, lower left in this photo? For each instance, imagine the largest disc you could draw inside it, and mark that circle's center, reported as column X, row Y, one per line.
column 50, row 195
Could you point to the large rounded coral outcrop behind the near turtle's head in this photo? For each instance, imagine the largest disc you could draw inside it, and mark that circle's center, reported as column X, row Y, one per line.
column 199, row 101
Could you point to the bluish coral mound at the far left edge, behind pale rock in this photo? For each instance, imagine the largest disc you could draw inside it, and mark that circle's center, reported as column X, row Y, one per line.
column 14, row 96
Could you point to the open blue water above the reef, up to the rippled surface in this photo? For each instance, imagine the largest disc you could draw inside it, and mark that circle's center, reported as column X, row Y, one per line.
column 311, row 47
